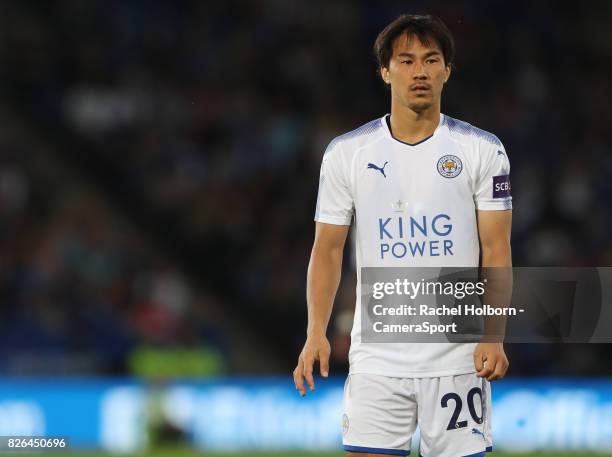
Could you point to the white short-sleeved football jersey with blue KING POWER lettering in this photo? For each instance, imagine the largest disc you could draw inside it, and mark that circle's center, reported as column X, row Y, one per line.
column 414, row 205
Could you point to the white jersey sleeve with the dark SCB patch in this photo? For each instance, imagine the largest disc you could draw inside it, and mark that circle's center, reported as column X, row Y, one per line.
column 493, row 191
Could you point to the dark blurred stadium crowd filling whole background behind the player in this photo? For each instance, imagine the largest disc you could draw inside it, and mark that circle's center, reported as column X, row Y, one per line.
column 160, row 165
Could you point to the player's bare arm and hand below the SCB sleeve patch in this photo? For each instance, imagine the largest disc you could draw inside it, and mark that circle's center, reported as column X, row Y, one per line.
column 494, row 228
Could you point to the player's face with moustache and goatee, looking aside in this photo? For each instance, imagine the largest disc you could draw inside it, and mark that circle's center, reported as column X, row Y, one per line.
column 416, row 72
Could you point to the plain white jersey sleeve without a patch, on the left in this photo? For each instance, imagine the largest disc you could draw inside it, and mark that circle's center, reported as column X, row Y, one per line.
column 334, row 201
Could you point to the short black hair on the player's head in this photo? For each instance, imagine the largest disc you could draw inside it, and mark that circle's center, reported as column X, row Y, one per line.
column 425, row 27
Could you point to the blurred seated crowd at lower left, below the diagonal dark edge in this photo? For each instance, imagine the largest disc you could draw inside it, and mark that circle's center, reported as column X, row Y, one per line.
column 81, row 291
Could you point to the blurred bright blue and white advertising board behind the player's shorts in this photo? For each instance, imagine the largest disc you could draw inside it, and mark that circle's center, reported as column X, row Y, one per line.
column 267, row 414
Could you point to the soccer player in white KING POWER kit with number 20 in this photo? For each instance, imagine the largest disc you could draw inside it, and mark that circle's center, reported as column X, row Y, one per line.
column 419, row 165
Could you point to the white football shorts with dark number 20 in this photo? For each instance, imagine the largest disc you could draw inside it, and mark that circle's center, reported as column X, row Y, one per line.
column 382, row 413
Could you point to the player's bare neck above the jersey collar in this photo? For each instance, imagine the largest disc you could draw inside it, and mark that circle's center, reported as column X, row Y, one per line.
column 410, row 126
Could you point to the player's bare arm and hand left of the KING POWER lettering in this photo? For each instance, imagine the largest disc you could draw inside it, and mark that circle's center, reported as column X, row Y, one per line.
column 324, row 271
